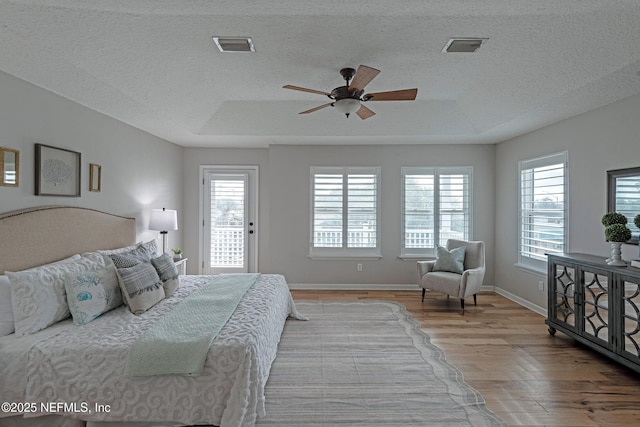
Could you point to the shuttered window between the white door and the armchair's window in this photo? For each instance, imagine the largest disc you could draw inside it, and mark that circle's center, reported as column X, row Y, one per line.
column 345, row 210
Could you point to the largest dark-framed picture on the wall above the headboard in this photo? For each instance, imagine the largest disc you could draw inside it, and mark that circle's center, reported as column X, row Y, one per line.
column 57, row 171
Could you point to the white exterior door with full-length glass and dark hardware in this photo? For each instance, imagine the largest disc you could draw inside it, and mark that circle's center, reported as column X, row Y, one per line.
column 229, row 219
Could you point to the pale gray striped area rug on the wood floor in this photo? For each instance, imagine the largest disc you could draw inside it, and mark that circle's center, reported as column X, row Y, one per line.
column 366, row 364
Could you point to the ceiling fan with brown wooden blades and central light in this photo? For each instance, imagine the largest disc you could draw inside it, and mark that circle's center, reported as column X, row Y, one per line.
column 348, row 99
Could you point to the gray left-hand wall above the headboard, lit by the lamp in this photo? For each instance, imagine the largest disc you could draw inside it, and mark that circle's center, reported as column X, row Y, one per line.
column 139, row 171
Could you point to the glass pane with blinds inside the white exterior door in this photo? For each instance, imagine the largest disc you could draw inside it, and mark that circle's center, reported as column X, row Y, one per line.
column 227, row 223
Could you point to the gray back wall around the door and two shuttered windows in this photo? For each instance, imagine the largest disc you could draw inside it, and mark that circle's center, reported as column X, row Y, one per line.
column 285, row 205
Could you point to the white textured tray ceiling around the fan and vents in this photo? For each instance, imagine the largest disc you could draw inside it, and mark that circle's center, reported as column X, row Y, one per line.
column 153, row 65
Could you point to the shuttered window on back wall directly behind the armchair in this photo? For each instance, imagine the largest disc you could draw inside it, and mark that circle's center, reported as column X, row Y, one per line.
column 436, row 206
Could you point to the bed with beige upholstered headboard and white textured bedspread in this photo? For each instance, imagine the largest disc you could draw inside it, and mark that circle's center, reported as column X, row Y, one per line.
column 73, row 375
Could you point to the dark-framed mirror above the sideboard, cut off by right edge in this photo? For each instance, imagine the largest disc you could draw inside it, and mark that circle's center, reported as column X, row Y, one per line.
column 623, row 196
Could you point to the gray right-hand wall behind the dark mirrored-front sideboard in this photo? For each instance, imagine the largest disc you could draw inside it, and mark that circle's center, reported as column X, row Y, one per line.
column 596, row 141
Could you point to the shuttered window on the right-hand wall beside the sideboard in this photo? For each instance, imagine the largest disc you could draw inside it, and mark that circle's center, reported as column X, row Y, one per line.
column 543, row 209
